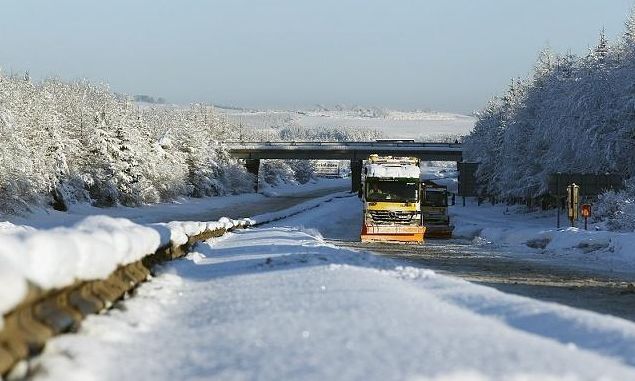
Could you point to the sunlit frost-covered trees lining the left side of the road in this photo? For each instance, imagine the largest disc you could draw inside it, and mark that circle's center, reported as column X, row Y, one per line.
column 69, row 142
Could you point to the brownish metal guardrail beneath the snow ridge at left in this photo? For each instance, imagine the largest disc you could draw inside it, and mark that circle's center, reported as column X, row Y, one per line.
column 47, row 313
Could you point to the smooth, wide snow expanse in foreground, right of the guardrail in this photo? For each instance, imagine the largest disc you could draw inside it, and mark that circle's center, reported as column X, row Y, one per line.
column 279, row 302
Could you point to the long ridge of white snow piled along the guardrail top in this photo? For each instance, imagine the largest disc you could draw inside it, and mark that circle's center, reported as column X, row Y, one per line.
column 95, row 246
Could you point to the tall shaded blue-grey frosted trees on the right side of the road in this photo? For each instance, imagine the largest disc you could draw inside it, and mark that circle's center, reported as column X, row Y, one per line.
column 574, row 114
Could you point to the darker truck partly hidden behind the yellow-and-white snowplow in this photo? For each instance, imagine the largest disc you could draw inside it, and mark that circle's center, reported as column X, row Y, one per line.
column 434, row 208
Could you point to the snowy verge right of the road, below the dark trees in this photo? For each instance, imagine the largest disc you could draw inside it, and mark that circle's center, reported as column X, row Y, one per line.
column 535, row 236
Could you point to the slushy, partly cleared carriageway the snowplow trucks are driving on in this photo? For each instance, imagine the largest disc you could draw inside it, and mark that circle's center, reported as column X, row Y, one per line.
column 595, row 281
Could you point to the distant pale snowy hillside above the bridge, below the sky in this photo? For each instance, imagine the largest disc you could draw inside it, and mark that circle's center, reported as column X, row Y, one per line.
column 393, row 124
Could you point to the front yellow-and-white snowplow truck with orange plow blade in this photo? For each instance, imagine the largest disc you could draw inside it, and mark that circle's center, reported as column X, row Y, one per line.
column 391, row 193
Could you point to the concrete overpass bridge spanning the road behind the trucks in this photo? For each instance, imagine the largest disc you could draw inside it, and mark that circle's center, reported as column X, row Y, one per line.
column 356, row 152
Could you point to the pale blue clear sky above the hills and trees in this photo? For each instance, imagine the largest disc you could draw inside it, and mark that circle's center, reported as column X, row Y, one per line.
column 446, row 55
